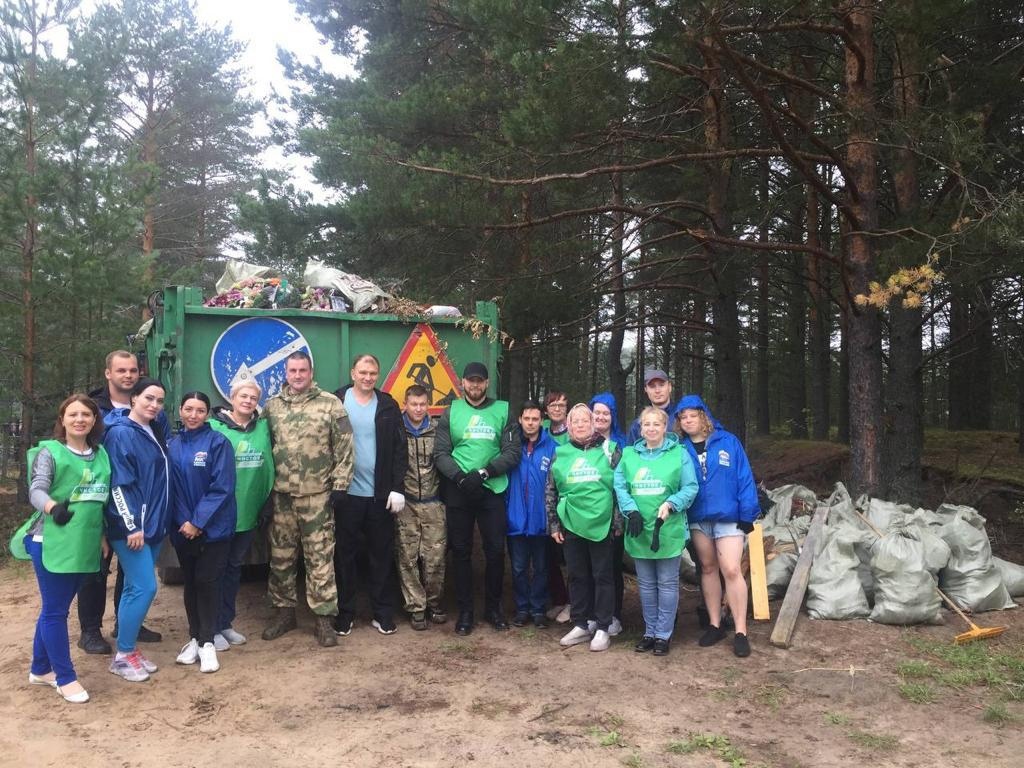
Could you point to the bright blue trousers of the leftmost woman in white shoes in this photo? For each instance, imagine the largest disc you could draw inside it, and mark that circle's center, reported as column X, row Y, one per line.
column 51, row 649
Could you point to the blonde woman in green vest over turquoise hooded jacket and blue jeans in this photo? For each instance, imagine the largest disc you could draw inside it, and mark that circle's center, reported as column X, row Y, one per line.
column 656, row 484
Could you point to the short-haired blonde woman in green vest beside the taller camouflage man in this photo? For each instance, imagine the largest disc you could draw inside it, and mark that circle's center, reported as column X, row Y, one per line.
column 250, row 438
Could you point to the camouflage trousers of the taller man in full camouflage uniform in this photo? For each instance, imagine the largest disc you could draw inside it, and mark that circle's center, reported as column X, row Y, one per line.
column 304, row 525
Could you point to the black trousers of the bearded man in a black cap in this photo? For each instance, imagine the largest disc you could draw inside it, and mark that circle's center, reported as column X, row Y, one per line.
column 487, row 511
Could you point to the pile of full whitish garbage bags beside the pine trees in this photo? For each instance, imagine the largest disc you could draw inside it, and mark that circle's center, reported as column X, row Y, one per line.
column 892, row 578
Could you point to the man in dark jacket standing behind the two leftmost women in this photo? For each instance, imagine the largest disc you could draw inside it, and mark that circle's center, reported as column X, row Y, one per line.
column 121, row 373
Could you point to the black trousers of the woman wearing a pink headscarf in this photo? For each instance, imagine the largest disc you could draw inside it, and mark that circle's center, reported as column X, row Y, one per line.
column 591, row 580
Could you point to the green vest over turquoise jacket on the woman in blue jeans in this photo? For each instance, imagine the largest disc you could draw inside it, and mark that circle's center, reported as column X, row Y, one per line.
column 651, row 483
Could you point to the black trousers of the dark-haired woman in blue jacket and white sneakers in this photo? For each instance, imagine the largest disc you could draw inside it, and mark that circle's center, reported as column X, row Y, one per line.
column 203, row 566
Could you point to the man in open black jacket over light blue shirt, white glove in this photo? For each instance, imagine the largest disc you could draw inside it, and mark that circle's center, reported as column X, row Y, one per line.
column 365, row 519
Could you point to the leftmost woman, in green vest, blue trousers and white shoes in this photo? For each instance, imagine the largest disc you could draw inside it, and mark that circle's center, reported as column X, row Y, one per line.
column 70, row 484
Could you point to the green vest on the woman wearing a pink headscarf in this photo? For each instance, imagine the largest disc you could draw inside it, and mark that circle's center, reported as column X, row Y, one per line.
column 584, row 482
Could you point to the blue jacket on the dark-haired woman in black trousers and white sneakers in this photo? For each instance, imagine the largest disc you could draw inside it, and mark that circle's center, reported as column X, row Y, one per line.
column 203, row 462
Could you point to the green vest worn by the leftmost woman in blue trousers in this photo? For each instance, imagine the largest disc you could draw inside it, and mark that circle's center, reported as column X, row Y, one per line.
column 86, row 486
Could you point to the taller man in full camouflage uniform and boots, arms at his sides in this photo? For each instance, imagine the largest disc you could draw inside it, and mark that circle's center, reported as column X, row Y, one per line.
column 313, row 454
